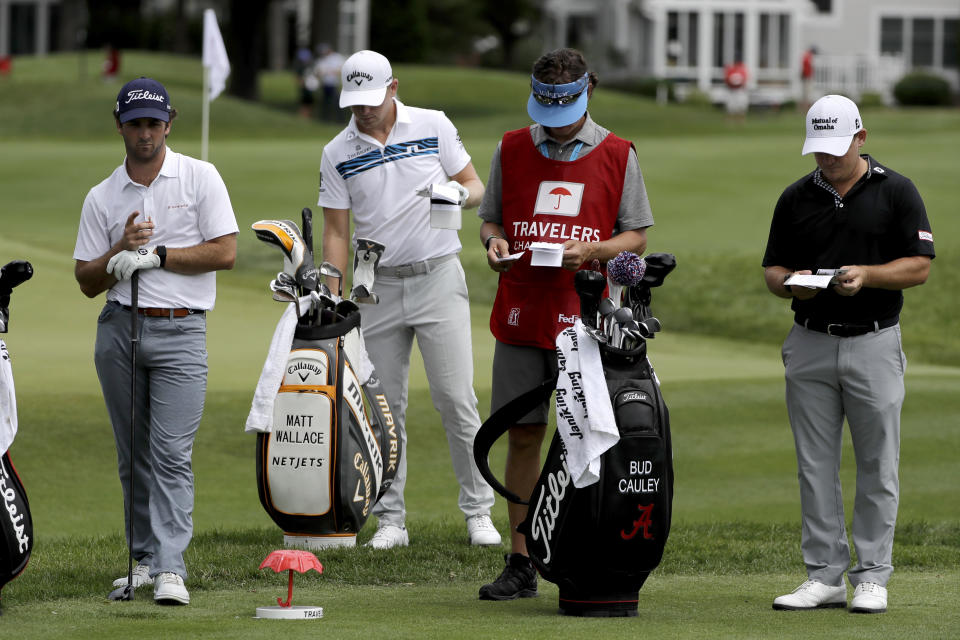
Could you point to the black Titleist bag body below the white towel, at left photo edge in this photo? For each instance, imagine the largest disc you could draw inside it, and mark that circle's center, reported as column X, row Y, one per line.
column 16, row 523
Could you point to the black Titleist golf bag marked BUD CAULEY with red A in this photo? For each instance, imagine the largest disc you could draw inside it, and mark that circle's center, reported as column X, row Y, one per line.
column 600, row 542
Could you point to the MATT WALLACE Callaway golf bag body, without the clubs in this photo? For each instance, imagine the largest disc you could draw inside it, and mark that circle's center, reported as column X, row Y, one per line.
column 323, row 500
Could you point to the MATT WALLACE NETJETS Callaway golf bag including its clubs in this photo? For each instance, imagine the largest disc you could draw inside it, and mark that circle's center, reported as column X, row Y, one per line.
column 332, row 446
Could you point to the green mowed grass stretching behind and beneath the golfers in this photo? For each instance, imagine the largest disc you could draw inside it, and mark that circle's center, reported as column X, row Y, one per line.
column 735, row 542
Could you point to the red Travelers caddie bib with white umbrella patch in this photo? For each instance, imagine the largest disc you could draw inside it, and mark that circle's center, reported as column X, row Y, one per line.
column 548, row 200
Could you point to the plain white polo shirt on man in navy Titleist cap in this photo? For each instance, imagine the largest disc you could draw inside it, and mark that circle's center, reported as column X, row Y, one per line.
column 187, row 202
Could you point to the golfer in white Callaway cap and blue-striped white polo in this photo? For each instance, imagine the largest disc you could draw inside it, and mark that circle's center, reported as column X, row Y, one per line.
column 374, row 168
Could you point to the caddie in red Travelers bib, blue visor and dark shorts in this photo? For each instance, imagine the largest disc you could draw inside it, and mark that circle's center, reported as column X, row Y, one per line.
column 564, row 179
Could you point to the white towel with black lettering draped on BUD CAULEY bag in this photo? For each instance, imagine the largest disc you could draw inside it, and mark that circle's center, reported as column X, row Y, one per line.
column 585, row 417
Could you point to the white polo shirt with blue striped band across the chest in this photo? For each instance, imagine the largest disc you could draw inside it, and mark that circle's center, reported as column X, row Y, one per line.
column 379, row 182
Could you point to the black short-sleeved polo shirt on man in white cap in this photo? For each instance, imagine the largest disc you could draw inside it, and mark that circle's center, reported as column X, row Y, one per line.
column 881, row 219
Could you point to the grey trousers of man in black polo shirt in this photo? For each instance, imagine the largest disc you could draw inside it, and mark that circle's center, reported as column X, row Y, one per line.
column 860, row 378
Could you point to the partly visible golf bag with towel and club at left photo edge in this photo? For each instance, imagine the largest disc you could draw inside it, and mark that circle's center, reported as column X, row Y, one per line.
column 16, row 523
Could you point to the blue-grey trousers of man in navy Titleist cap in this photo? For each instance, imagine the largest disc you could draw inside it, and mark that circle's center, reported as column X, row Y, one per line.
column 171, row 386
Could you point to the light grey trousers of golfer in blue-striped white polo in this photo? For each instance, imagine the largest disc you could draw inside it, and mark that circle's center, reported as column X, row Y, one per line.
column 433, row 307
